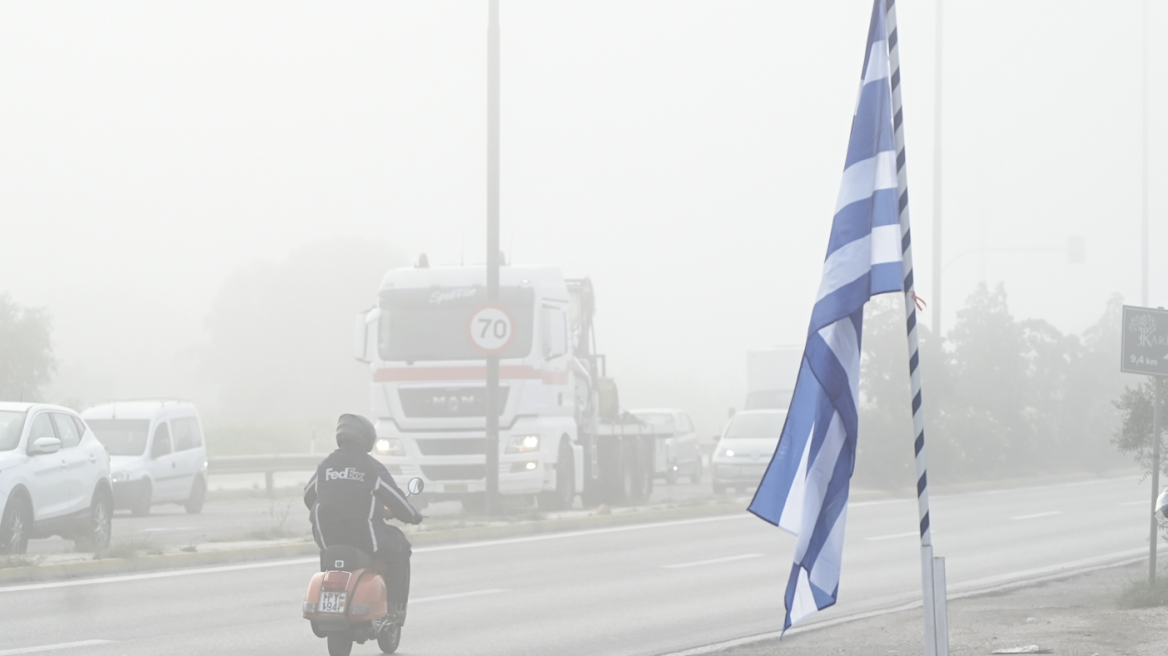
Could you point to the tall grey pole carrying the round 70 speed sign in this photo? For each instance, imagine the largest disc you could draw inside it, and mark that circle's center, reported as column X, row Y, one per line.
column 492, row 393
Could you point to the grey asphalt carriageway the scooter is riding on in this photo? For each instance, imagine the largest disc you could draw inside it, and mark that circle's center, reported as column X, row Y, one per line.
column 623, row 591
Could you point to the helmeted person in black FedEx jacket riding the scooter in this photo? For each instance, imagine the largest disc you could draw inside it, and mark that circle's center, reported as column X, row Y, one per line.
column 347, row 498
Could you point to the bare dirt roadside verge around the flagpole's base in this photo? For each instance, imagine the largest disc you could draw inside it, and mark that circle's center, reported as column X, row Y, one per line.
column 1076, row 617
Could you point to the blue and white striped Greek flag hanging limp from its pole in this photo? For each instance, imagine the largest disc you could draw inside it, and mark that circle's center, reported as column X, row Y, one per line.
column 805, row 490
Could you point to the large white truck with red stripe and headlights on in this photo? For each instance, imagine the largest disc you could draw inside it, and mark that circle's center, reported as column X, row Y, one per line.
column 561, row 430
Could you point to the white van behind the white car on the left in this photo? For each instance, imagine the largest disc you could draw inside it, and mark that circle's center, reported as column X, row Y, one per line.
column 157, row 452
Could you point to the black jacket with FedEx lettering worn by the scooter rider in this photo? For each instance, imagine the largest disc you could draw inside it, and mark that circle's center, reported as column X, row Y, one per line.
column 345, row 499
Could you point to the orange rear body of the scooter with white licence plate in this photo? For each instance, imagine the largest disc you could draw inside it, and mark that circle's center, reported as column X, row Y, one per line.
column 338, row 599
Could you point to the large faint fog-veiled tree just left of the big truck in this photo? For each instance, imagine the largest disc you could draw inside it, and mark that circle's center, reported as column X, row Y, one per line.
column 281, row 336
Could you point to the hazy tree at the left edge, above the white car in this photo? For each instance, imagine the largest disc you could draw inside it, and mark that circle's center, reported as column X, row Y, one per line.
column 26, row 351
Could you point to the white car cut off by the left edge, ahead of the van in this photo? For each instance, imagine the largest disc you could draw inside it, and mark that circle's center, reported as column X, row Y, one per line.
column 54, row 478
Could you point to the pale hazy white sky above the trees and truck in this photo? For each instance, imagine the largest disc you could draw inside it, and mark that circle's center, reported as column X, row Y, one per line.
column 686, row 156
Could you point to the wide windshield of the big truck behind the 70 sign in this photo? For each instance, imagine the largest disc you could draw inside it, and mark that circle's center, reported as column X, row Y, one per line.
column 435, row 324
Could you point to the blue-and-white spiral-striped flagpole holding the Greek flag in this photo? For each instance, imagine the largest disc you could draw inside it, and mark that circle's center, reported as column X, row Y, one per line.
column 933, row 571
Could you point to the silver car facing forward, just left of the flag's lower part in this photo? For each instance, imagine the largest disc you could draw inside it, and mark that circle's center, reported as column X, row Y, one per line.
column 746, row 449
